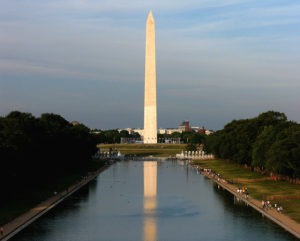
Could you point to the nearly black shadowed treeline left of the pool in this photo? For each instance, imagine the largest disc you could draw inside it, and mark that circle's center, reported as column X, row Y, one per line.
column 36, row 151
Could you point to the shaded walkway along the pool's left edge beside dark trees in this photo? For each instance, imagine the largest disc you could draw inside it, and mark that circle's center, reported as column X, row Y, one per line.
column 21, row 222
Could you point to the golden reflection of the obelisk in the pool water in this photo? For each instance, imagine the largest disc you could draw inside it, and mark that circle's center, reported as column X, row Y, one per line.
column 150, row 202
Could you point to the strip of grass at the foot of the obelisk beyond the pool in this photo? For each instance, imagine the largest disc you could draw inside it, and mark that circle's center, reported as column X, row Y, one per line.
column 161, row 150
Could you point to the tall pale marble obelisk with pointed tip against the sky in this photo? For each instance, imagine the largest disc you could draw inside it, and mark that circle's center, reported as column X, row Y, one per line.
column 150, row 118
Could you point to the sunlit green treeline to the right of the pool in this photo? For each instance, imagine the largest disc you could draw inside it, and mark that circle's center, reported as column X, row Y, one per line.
column 268, row 143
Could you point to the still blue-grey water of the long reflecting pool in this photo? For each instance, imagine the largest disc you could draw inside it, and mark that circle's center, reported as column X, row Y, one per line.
column 152, row 201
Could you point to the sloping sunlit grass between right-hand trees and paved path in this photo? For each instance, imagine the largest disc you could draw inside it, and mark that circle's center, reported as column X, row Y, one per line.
column 260, row 187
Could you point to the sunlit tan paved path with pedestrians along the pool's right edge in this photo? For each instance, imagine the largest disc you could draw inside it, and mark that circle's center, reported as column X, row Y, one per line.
column 281, row 219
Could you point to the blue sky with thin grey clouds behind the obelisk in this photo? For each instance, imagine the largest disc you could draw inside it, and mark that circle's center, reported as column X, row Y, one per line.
column 217, row 60
